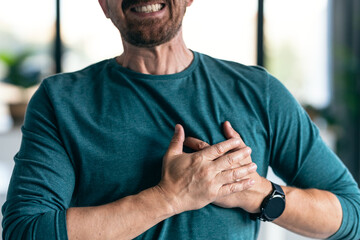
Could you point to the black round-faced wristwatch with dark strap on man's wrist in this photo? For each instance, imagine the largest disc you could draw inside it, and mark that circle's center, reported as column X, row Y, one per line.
column 273, row 205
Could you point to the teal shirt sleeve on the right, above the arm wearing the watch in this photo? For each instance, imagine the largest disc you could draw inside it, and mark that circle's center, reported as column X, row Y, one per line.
column 301, row 158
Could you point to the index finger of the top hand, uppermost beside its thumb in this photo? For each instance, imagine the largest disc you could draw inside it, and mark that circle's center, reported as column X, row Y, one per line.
column 217, row 150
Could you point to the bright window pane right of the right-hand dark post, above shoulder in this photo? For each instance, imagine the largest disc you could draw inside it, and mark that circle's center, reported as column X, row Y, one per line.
column 297, row 48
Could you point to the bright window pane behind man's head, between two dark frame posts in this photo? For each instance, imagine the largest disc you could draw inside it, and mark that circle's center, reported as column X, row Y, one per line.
column 221, row 30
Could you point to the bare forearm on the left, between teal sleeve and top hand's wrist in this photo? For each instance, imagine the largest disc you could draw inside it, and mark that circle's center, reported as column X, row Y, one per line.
column 123, row 219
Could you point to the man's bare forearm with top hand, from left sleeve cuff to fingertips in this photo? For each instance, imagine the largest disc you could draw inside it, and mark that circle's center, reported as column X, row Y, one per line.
column 189, row 182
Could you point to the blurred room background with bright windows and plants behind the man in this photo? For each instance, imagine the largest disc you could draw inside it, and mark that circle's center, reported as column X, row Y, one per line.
column 313, row 47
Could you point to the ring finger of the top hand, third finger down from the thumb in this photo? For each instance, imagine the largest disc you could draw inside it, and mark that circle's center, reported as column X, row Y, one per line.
column 236, row 174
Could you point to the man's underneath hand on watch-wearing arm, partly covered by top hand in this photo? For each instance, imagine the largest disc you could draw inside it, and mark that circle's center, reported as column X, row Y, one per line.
column 251, row 198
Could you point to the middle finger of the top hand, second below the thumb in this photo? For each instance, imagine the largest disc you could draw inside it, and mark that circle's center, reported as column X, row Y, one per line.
column 233, row 160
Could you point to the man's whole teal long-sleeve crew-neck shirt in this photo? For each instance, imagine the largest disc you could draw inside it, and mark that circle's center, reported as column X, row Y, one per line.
column 97, row 135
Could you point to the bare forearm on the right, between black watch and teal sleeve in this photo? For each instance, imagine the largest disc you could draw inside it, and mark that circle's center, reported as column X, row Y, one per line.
column 311, row 212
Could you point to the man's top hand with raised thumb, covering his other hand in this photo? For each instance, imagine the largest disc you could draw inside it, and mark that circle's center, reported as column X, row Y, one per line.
column 192, row 181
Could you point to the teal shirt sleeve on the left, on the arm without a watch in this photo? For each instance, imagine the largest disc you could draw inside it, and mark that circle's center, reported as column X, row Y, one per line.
column 43, row 178
